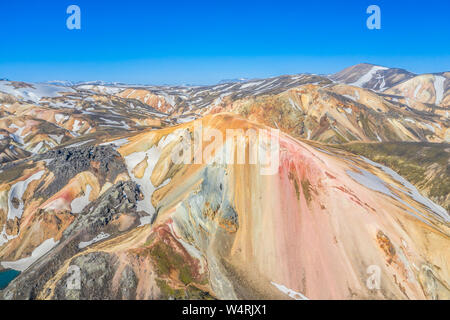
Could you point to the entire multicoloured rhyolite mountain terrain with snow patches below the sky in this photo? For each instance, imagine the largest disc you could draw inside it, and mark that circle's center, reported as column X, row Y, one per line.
column 93, row 206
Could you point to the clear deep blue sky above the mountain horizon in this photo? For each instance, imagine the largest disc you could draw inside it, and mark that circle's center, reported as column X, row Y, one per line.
column 201, row 42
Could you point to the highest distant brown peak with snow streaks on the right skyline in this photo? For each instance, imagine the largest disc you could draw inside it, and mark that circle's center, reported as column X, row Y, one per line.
column 371, row 76
